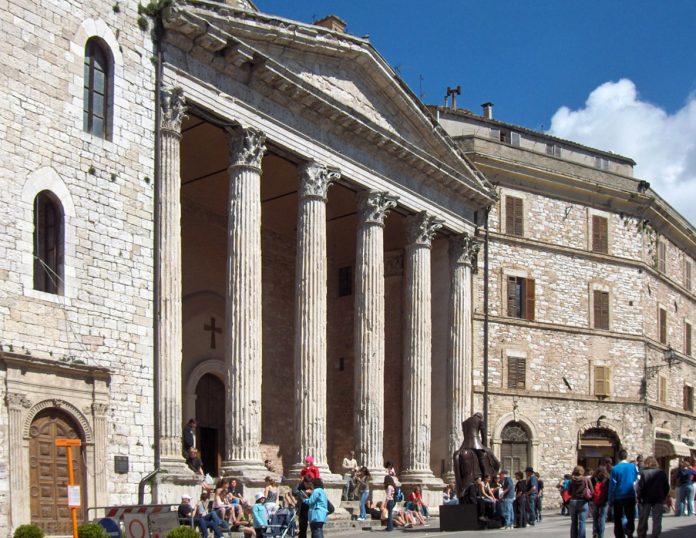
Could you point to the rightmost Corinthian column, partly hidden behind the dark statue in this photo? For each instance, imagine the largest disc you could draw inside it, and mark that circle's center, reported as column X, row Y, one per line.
column 463, row 250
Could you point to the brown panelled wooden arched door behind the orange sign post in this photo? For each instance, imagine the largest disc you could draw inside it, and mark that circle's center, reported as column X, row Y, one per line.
column 48, row 471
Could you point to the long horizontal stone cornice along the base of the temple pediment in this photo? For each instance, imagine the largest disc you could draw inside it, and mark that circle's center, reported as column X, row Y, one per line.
column 230, row 55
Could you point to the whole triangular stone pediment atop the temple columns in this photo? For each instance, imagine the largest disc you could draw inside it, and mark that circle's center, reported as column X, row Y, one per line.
column 340, row 76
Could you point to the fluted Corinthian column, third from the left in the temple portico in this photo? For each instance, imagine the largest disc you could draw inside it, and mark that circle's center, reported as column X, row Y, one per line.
column 310, row 315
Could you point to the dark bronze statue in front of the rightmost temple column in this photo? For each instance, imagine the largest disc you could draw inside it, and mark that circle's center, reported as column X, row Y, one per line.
column 473, row 459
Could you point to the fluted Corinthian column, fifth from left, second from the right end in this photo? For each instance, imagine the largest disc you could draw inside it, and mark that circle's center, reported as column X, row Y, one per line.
column 417, row 350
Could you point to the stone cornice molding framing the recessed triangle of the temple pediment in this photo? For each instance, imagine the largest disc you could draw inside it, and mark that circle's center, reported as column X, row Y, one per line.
column 228, row 54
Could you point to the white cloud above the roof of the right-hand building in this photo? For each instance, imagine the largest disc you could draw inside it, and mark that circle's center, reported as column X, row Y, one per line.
column 663, row 145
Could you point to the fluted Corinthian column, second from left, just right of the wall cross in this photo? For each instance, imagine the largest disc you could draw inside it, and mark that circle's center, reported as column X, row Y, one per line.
column 243, row 305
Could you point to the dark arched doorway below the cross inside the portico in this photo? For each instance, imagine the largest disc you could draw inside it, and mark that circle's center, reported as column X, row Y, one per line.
column 210, row 414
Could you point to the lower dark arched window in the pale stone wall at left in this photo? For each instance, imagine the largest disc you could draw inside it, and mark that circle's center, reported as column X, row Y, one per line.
column 48, row 243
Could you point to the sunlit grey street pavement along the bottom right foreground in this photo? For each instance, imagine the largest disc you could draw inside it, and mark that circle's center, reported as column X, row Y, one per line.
column 552, row 526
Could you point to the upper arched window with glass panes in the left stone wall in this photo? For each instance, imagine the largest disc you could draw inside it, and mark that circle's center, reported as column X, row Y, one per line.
column 97, row 89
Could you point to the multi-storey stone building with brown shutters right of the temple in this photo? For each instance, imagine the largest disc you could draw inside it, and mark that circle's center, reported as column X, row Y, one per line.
column 591, row 303
